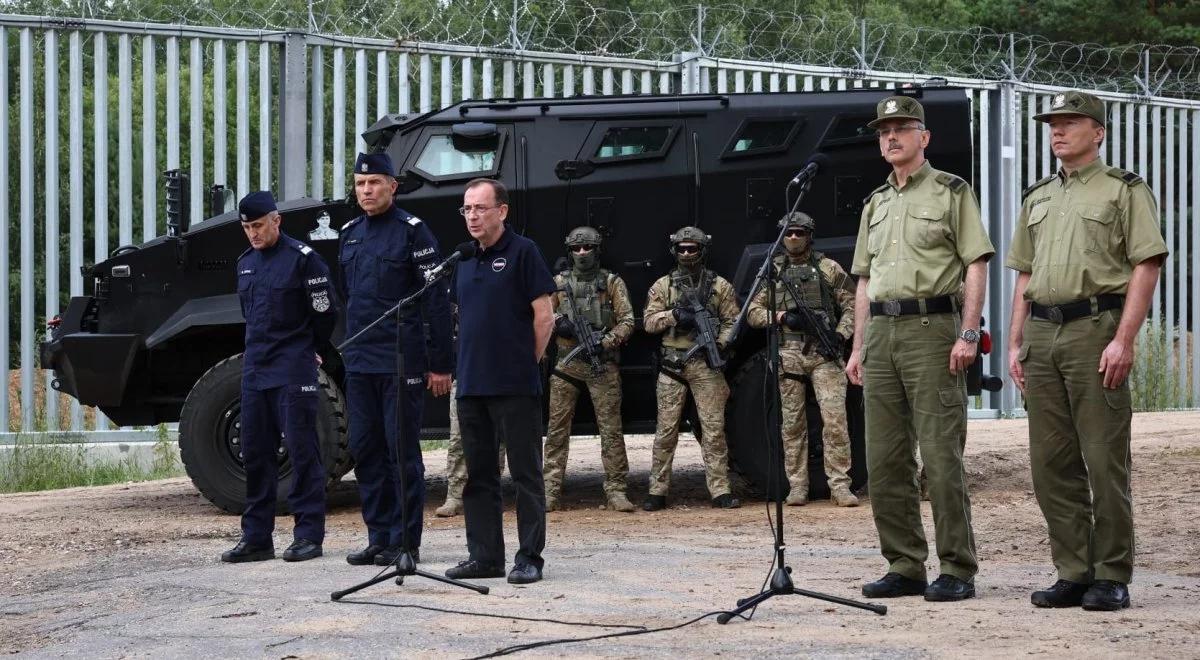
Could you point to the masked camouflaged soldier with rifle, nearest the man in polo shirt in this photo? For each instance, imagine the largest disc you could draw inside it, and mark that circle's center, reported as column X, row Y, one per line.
column 603, row 299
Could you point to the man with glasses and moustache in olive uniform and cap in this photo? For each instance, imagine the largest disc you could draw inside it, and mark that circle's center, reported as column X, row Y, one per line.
column 921, row 239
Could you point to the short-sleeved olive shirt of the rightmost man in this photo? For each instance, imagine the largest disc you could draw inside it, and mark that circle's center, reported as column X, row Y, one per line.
column 1081, row 235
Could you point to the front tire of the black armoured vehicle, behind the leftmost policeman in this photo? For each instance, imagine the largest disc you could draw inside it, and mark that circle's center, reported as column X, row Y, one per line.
column 209, row 427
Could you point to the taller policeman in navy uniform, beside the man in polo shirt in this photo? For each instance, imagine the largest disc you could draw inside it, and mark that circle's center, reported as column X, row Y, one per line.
column 383, row 257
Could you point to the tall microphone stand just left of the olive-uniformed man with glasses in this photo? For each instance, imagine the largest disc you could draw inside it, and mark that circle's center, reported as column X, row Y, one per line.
column 782, row 577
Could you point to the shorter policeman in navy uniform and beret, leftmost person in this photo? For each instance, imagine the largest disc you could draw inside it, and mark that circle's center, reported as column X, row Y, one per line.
column 285, row 293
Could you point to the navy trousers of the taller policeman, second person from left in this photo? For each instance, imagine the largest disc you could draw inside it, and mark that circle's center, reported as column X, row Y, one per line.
column 371, row 399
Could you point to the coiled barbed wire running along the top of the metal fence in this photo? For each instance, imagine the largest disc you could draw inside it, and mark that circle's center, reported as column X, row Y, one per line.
column 722, row 31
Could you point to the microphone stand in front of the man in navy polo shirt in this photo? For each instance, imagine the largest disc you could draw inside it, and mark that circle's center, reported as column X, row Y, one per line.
column 405, row 566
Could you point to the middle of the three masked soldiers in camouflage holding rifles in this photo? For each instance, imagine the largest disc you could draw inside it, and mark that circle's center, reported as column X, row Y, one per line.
column 667, row 316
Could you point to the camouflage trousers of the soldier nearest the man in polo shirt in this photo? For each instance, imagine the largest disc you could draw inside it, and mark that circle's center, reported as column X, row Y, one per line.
column 605, row 393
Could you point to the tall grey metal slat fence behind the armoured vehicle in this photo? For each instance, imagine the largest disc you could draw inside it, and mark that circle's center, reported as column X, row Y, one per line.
column 285, row 111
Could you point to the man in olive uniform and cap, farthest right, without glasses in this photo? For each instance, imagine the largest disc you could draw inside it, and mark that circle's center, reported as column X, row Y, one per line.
column 1088, row 251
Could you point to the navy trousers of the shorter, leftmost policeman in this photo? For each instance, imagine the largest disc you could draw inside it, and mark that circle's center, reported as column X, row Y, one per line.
column 268, row 415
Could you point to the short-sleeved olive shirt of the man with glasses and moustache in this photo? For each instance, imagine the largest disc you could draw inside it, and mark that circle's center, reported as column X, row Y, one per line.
column 917, row 241
